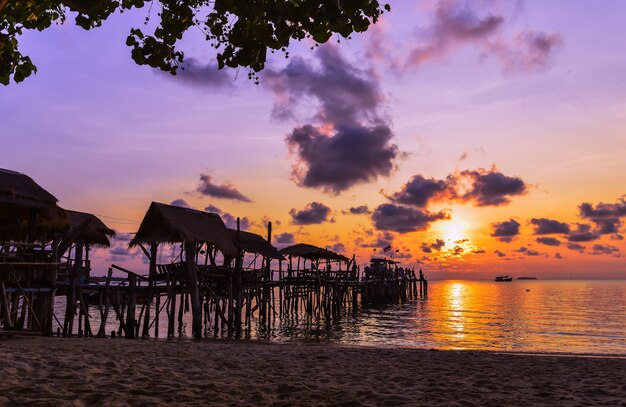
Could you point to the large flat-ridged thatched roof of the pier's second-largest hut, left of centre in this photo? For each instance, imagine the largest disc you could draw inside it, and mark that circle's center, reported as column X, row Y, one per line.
column 173, row 224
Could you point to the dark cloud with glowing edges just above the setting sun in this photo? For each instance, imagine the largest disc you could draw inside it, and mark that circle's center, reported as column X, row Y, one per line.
column 485, row 187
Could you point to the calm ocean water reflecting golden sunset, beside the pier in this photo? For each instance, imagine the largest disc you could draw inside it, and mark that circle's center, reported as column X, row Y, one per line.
column 583, row 316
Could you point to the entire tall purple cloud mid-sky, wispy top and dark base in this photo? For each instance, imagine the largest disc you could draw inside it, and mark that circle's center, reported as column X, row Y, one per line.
column 348, row 140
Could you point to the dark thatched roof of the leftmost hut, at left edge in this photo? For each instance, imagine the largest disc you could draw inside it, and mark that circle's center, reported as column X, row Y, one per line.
column 24, row 205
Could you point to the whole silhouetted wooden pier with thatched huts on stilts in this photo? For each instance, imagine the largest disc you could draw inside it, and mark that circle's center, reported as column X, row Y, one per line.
column 223, row 277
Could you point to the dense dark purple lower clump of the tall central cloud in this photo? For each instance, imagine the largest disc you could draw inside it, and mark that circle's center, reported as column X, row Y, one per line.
column 350, row 155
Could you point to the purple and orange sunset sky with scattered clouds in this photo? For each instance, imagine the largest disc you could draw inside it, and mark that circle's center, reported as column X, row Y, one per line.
column 476, row 138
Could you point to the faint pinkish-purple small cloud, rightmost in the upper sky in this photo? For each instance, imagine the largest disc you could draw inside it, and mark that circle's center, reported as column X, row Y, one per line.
column 529, row 50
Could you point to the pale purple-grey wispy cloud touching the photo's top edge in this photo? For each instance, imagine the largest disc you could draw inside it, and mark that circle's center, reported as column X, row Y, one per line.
column 454, row 23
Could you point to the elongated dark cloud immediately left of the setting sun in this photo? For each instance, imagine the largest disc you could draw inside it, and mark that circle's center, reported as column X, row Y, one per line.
column 403, row 219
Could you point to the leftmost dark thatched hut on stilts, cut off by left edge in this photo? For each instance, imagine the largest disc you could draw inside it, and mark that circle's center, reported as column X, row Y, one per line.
column 28, row 258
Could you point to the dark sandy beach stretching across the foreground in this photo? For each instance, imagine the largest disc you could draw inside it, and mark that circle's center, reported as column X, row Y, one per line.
column 110, row 372
